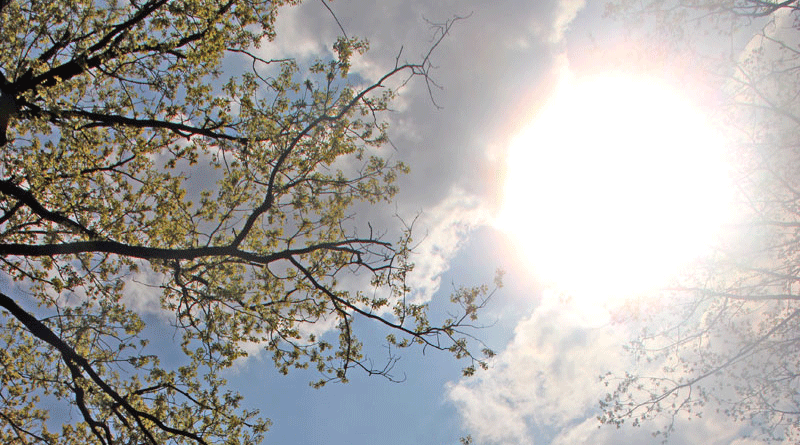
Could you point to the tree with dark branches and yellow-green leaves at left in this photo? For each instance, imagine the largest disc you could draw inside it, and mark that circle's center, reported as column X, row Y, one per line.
column 113, row 104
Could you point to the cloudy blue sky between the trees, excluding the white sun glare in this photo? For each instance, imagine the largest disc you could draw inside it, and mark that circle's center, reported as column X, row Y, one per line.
column 498, row 69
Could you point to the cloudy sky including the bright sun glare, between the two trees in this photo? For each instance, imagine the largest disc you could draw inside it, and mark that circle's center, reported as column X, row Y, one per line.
column 504, row 71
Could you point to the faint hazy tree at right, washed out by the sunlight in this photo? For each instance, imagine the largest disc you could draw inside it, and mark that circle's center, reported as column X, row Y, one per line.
column 732, row 347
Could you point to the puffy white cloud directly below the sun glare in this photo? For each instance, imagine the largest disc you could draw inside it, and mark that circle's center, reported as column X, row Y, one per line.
column 547, row 377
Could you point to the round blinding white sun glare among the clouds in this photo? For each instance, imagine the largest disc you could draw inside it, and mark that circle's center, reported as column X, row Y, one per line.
column 617, row 182
